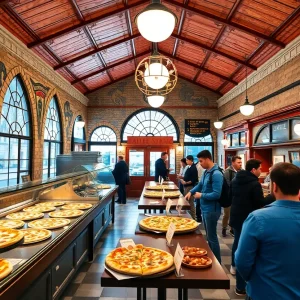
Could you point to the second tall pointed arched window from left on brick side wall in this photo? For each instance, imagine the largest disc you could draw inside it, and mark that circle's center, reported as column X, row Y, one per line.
column 52, row 139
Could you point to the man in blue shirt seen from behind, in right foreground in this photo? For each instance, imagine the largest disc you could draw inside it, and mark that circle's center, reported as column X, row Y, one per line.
column 268, row 254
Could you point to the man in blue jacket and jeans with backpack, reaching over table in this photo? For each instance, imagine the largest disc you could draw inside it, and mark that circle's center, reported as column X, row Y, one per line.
column 209, row 191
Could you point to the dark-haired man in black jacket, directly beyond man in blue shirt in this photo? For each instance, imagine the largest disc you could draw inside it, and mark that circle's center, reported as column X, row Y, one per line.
column 246, row 195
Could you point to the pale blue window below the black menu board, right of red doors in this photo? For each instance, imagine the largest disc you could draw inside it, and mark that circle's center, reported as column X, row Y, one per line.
column 193, row 145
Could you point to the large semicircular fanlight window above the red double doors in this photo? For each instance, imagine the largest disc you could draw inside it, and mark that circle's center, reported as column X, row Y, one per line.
column 150, row 122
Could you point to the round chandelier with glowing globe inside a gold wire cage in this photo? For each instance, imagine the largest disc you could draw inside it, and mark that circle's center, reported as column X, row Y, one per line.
column 156, row 75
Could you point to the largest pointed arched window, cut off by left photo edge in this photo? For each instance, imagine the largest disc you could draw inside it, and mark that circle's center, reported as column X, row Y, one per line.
column 15, row 135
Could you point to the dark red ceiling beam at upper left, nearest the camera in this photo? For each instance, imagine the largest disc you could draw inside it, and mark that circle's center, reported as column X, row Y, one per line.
column 84, row 23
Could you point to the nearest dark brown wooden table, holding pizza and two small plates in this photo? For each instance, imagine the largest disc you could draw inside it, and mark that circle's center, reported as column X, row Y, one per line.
column 210, row 278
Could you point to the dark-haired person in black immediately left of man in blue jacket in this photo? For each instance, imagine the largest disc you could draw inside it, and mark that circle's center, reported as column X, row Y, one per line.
column 189, row 180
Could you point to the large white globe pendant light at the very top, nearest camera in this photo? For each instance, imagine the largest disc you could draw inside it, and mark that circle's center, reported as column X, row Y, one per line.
column 156, row 22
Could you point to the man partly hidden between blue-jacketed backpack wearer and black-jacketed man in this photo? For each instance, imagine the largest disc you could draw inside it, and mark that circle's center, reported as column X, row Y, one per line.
column 229, row 174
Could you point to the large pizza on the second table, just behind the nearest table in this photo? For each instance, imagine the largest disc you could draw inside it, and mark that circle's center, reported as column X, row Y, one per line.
column 161, row 223
